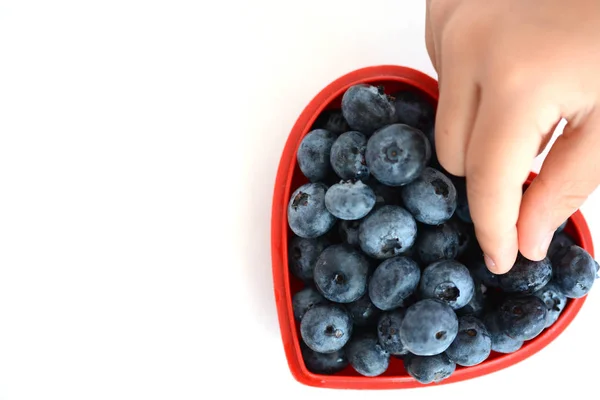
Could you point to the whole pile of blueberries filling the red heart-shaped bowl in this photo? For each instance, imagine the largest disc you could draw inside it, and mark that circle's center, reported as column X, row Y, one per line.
column 383, row 240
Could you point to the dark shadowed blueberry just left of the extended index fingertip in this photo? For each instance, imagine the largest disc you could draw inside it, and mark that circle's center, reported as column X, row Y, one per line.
column 436, row 243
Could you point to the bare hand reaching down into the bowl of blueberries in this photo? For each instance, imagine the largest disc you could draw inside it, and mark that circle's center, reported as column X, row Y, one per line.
column 509, row 70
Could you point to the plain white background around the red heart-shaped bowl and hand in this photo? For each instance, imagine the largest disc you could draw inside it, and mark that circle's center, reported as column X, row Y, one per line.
column 139, row 142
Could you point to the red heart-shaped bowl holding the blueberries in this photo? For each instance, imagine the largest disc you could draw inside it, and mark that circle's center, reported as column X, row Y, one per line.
column 289, row 177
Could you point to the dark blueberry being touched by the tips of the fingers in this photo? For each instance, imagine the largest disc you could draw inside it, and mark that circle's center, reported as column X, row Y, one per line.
column 526, row 276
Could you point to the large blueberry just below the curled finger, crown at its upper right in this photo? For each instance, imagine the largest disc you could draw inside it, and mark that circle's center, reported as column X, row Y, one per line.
column 431, row 198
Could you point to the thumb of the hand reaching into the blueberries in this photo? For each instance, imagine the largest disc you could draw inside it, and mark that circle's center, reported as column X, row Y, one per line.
column 570, row 173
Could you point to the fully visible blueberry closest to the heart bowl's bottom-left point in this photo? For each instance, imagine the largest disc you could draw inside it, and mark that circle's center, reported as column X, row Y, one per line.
column 326, row 328
